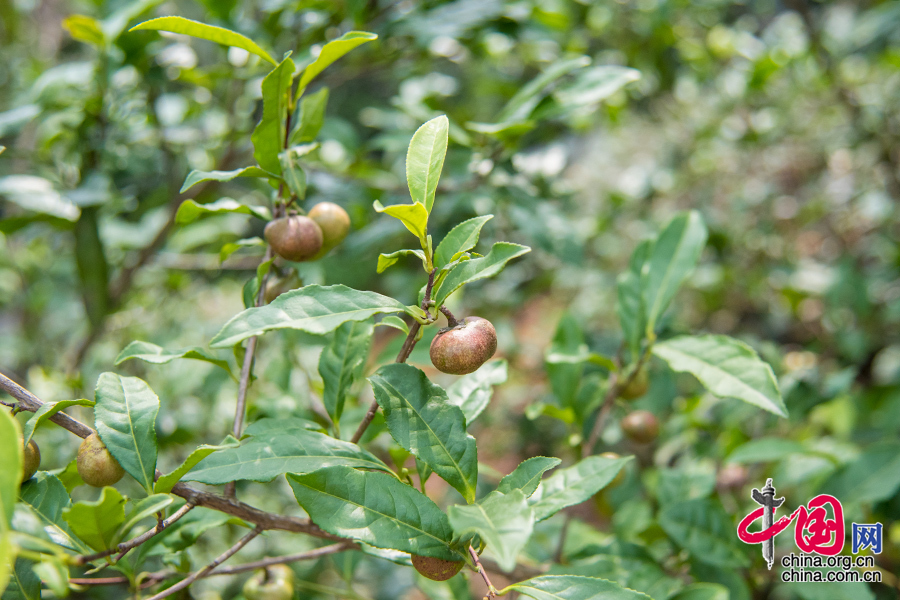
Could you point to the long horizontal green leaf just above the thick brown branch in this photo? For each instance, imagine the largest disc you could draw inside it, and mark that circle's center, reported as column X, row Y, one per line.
column 266, row 456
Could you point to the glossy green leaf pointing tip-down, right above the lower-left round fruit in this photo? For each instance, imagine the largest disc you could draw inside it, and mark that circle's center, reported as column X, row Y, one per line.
column 125, row 417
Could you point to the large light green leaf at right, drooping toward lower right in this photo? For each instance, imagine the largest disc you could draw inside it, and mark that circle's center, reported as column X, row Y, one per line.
column 727, row 367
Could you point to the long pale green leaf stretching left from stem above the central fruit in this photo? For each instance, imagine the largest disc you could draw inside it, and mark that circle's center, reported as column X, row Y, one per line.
column 313, row 308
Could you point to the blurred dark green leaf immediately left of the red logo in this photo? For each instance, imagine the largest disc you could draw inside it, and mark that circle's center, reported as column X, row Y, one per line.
column 703, row 528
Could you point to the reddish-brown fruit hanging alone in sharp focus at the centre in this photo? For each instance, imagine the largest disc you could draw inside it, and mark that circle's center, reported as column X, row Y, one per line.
column 462, row 349
